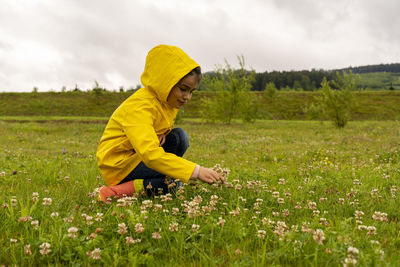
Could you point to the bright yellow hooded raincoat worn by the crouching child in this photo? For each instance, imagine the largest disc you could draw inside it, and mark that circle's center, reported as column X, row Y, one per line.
column 131, row 133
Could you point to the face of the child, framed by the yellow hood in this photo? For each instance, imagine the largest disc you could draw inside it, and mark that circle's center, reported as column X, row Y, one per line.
column 182, row 92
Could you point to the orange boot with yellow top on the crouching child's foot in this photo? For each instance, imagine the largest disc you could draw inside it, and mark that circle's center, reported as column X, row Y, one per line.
column 120, row 190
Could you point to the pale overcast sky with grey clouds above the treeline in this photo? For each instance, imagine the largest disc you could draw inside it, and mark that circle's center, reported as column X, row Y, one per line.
column 55, row 43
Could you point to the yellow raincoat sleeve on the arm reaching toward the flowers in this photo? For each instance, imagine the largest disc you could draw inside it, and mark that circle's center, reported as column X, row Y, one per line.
column 138, row 127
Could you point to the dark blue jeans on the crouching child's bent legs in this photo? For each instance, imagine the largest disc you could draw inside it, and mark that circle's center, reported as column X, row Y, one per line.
column 176, row 142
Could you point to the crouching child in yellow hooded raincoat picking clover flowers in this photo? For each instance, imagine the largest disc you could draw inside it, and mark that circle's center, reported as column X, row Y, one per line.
column 139, row 146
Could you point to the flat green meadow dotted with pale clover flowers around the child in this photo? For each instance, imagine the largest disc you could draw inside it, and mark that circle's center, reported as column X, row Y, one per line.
column 299, row 193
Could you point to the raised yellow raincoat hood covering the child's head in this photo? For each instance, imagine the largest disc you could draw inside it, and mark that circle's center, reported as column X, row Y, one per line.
column 165, row 66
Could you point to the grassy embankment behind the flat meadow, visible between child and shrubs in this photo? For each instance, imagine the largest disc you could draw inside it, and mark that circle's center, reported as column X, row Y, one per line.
column 373, row 105
